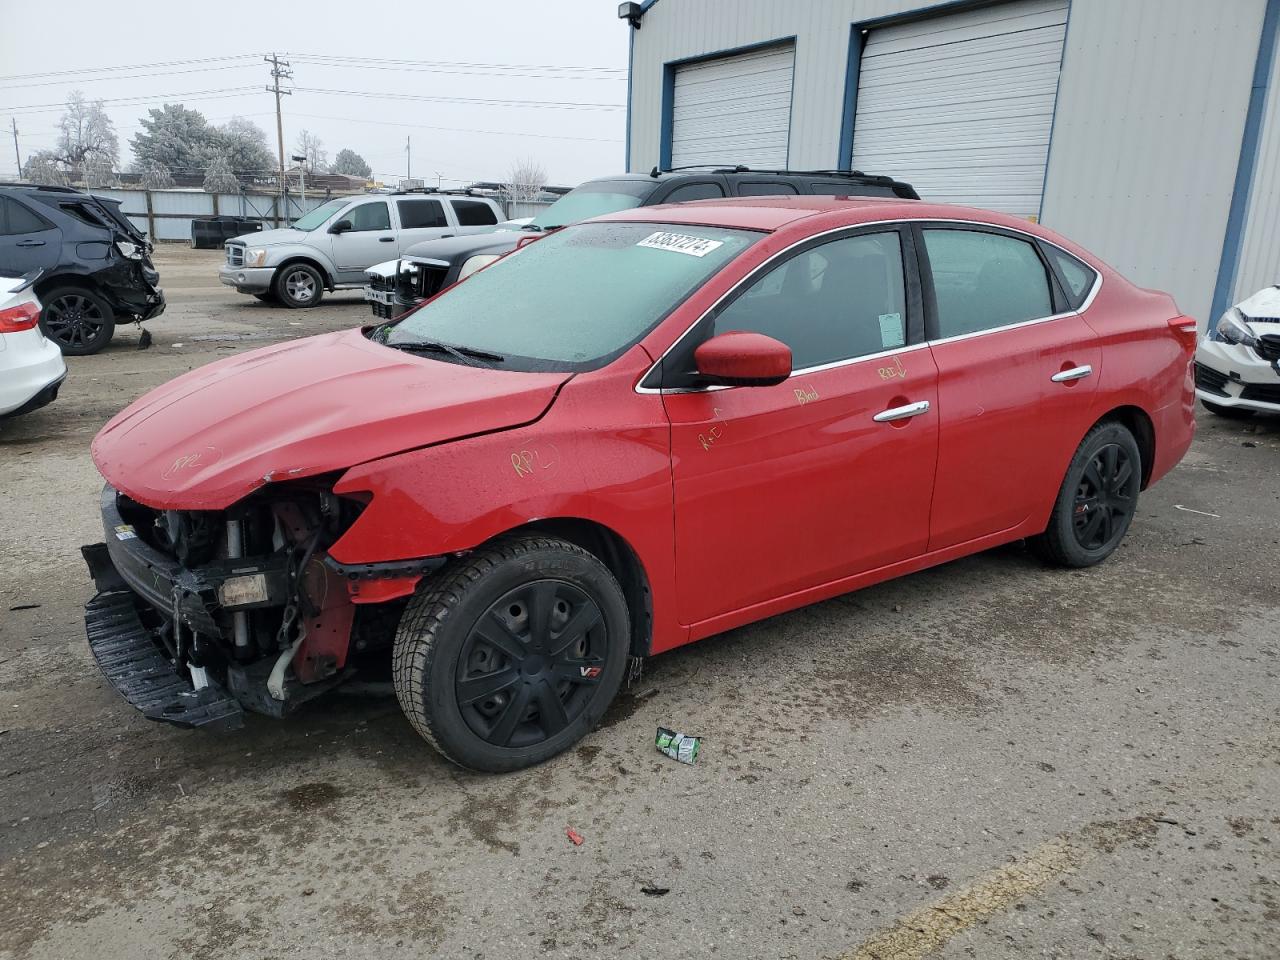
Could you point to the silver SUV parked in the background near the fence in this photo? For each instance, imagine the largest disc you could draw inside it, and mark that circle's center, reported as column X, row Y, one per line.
column 331, row 248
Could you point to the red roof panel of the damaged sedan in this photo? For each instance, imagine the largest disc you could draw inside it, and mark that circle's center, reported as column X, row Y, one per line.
column 775, row 213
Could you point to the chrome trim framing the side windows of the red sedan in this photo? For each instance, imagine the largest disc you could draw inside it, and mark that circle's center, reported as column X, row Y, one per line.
column 912, row 223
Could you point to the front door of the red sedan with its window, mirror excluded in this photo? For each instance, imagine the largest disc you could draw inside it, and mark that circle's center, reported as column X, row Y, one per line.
column 829, row 474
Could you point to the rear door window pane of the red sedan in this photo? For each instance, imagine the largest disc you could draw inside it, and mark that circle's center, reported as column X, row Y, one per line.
column 984, row 281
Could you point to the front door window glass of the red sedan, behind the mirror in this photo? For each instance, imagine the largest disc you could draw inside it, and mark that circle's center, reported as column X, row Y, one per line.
column 836, row 301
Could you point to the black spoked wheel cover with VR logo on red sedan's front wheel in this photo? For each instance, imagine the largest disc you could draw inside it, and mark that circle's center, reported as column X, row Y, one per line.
column 529, row 665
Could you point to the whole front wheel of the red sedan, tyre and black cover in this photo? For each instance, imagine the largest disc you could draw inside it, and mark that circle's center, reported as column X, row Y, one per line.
column 511, row 655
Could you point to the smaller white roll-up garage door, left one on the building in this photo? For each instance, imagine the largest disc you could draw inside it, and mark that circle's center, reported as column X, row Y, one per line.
column 734, row 109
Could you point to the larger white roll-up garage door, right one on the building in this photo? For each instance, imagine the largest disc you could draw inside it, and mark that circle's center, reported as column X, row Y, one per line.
column 962, row 106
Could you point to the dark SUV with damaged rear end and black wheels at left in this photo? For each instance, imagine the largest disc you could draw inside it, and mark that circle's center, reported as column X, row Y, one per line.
column 97, row 264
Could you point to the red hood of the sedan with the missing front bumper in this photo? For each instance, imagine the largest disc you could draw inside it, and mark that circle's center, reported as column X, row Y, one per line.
column 313, row 406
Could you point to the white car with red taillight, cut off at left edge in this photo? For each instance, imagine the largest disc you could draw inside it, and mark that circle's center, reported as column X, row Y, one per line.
column 31, row 367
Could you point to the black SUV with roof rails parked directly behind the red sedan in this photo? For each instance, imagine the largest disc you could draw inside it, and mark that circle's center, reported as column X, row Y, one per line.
column 429, row 267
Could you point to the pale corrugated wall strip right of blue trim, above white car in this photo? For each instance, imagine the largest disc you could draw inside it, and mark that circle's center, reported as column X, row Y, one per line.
column 1260, row 253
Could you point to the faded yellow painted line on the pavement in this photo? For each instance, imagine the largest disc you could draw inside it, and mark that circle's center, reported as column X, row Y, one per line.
column 931, row 927
